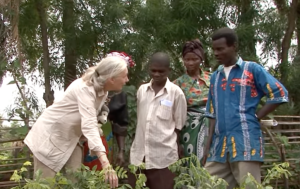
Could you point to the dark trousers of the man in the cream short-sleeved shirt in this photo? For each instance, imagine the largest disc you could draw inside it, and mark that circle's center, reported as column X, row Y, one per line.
column 156, row 179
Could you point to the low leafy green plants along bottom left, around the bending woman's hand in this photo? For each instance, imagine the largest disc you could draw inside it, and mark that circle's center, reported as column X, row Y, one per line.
column 85, row 179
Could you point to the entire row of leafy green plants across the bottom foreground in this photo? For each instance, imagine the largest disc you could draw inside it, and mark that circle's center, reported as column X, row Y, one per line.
column 190, row 175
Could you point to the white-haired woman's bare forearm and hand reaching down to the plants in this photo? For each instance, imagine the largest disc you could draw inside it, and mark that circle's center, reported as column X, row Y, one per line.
column 110, row 174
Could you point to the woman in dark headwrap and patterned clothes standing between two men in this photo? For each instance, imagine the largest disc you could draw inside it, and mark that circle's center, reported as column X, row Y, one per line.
column 195, row 85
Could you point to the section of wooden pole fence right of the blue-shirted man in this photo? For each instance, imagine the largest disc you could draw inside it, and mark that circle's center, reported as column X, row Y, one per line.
column 284, row 146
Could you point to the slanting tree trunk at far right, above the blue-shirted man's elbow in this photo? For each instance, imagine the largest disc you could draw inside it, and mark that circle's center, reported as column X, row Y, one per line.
column 286, row 42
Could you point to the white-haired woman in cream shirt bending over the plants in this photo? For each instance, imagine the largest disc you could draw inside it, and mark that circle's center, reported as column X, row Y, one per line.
column 54, row 137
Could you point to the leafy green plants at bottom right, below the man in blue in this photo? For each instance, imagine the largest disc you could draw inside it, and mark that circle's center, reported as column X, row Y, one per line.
column 192, row 176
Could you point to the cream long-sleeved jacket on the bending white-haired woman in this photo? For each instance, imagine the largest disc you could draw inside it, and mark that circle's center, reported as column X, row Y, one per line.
column 56, row 133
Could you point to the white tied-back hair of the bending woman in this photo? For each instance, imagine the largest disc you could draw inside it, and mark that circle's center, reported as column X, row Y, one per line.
column 108, row 67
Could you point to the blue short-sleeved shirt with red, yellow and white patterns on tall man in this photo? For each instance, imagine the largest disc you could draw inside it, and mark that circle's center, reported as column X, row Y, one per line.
column 233, row 103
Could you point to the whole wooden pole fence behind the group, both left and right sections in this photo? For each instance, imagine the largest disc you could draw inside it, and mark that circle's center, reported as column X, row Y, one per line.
column 283, row 146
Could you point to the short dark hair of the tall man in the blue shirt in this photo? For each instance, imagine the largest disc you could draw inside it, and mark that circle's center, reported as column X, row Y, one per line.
column 227, row 33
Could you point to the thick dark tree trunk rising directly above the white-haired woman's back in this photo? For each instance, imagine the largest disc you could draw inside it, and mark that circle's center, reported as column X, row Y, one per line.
column 70, row 42
